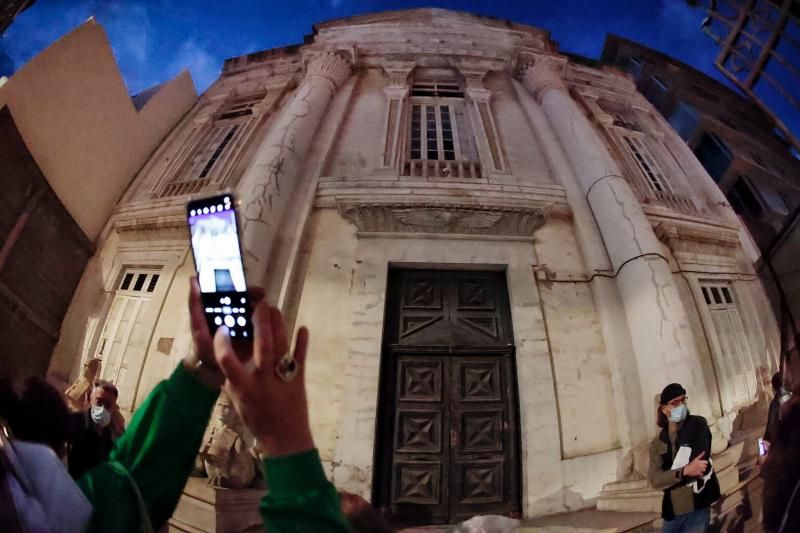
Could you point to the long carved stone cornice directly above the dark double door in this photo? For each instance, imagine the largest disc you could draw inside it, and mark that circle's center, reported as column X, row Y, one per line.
column 452, row 218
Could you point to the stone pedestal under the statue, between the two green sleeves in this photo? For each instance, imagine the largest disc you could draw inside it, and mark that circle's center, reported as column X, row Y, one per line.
column 207, row 509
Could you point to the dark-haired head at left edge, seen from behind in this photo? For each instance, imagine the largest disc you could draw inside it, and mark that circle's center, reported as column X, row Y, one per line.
column 35, row 411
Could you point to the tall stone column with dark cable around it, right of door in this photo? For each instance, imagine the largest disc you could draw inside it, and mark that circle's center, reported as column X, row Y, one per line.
column 662, row 339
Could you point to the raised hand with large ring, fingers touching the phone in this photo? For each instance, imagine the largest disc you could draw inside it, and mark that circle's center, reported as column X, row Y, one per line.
column 275, row 410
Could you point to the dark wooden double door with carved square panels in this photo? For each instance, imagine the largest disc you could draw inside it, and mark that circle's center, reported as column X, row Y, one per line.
column 448, row 441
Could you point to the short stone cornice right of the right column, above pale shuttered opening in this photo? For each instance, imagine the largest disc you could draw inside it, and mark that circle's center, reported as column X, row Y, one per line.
column 684, row 239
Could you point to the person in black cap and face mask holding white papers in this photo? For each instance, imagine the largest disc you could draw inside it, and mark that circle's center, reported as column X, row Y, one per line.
column 689, row 483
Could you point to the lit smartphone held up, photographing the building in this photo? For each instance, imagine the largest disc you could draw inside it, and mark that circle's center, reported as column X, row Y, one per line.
column 218, row 260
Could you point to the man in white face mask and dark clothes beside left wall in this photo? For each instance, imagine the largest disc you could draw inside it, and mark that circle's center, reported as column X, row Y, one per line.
column 94, row 431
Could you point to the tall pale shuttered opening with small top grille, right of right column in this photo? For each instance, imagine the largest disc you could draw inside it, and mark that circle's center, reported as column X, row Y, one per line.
column 736, row 363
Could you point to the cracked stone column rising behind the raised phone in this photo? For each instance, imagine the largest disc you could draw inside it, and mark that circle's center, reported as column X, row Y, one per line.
column 272, row 177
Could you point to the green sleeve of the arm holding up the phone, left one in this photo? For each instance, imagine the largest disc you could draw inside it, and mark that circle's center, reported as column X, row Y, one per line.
column 157, row 450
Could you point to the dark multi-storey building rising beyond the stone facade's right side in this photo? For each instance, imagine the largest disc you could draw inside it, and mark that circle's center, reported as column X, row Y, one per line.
column 732, row 137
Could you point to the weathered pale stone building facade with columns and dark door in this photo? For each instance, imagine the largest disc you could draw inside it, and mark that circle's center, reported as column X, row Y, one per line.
column 502, row 255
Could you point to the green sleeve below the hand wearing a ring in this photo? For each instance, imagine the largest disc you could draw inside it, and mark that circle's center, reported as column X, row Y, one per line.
column 300, row 497
